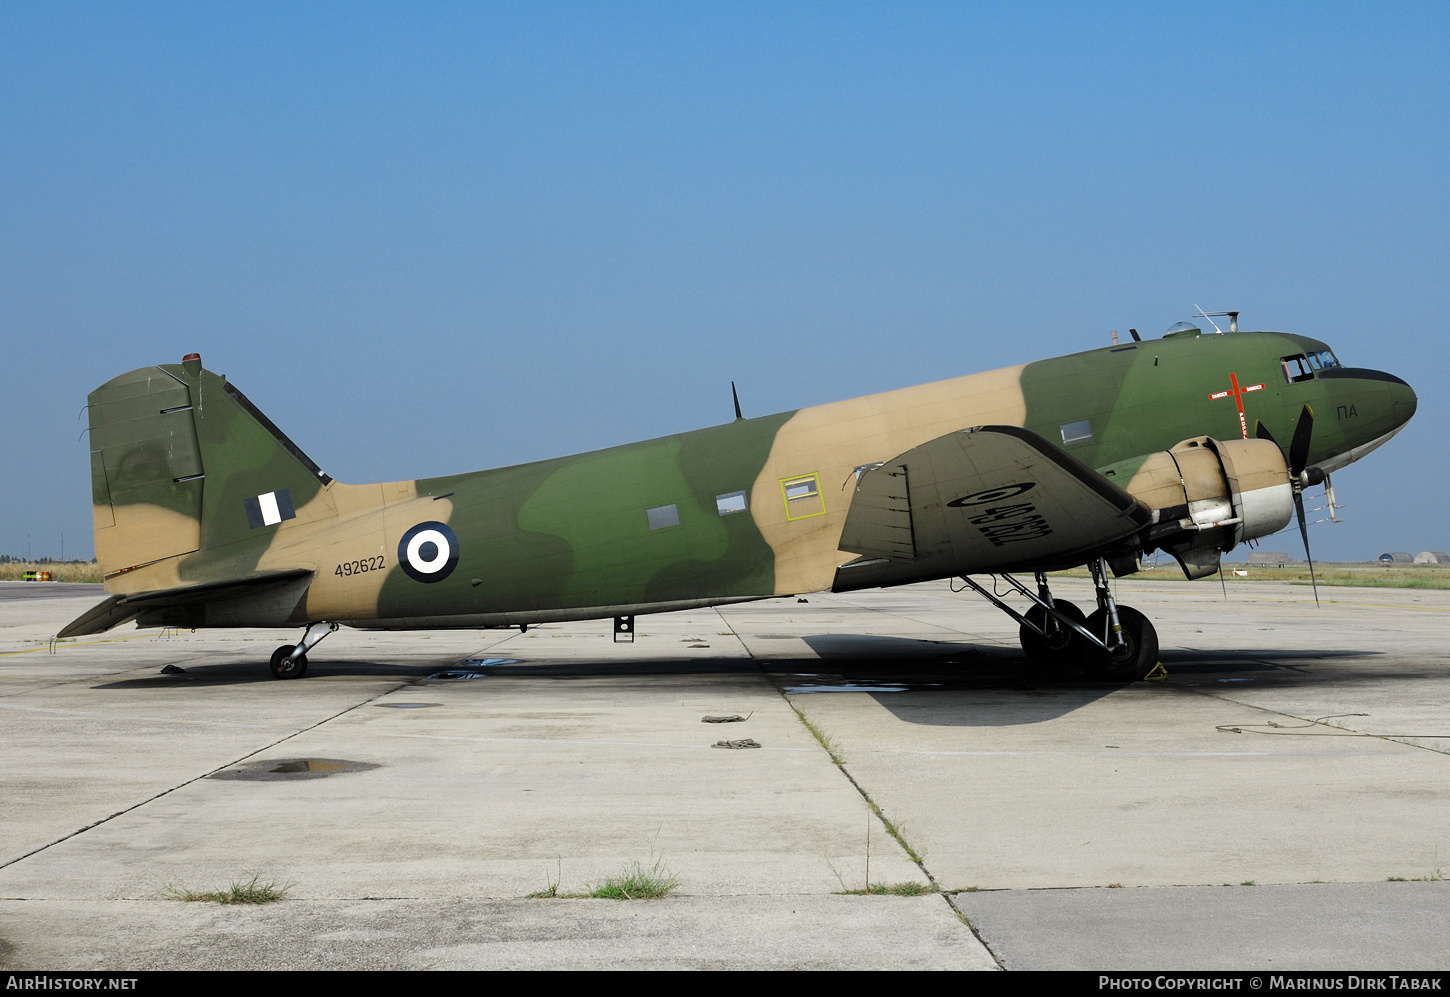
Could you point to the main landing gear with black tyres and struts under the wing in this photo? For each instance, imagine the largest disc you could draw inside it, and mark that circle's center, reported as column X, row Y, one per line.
column 1116, row 644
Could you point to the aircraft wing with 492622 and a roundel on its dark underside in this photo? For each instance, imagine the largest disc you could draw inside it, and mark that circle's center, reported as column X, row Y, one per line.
column 982, row 501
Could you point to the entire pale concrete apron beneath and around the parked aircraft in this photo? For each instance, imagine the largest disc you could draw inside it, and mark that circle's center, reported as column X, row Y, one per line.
column 585, row 757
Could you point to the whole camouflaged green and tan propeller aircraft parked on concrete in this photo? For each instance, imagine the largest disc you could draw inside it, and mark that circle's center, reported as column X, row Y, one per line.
column 210, row 517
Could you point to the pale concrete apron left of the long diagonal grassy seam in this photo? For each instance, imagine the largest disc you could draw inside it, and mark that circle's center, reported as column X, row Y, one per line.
column 563, row 770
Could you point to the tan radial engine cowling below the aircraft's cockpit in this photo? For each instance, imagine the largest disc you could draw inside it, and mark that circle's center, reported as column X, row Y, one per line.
column 1209, row 496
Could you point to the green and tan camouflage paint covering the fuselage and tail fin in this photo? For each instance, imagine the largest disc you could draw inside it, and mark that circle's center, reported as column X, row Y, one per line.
column 569, row 538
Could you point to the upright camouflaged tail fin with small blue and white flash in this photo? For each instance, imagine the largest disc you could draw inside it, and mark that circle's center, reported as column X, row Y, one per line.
column 183, row 463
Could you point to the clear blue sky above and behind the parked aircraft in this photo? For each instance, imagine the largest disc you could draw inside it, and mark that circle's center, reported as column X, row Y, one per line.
column 433, row 238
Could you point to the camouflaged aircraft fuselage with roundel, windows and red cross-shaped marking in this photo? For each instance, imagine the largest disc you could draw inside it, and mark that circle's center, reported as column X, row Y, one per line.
column 745, row 511
